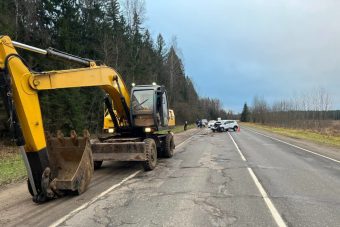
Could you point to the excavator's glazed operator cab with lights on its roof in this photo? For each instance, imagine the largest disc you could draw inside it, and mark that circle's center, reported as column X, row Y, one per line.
column 149, row 108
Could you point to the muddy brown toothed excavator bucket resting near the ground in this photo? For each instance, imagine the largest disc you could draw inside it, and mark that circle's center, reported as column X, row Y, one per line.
column 71, row 161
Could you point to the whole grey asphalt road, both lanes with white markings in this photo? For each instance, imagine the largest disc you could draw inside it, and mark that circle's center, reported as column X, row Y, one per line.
column 214, row 179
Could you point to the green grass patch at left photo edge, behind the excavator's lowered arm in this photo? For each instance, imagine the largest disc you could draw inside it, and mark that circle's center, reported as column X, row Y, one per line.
column 12, row 168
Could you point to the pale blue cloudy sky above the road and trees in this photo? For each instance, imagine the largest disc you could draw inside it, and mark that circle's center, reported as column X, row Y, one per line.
column 236, row 49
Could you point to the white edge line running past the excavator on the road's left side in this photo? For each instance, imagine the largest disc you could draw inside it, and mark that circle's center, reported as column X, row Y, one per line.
column 85, row 205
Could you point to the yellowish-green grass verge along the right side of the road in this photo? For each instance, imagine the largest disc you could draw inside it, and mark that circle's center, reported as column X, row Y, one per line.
column 300, row 134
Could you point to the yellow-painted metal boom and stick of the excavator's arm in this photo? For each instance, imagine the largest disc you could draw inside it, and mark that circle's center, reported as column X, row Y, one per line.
column 26, row 85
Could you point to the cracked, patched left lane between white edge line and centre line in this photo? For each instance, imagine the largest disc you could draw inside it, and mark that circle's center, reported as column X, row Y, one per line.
column 205, row 184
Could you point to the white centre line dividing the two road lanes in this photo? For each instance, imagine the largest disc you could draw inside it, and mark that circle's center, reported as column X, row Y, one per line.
column 276, row 215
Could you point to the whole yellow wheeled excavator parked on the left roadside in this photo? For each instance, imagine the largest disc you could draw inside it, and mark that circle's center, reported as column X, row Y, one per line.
column 137, row 125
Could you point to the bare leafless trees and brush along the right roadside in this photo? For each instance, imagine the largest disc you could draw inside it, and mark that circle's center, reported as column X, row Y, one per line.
column 311, row 110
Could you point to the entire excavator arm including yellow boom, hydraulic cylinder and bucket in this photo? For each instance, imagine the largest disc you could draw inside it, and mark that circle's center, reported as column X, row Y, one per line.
column 22, row 91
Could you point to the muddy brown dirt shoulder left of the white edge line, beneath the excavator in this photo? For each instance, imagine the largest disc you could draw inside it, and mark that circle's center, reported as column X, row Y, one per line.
column 17, row 208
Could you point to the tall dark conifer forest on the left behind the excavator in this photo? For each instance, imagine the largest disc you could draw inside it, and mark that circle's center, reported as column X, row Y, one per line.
column 108, row 31
